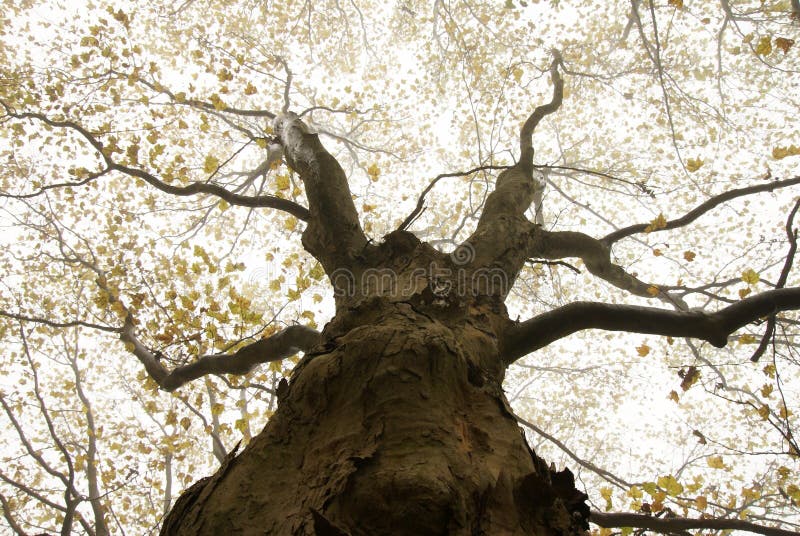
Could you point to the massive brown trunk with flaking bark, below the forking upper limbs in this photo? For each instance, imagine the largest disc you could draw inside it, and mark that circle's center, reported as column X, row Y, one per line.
column 397, row 425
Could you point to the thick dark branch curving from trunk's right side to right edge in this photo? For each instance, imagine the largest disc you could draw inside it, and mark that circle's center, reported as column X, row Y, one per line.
column 714, row 328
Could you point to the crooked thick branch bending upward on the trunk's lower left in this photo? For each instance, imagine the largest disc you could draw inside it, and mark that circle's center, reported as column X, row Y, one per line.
column 283, row 344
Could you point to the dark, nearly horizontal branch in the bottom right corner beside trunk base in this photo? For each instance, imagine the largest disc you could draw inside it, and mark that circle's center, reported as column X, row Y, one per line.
column 675, row 524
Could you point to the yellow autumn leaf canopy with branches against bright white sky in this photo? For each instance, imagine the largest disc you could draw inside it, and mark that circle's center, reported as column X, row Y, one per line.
column 153, row 205
